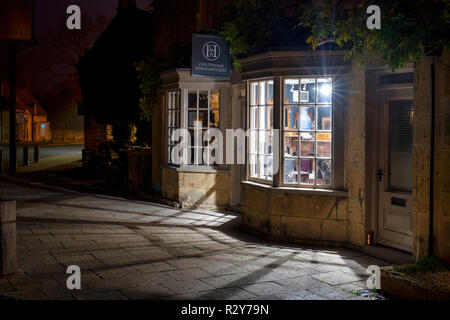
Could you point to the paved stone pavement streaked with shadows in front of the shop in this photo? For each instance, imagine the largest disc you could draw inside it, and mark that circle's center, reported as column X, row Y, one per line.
column 130, row 249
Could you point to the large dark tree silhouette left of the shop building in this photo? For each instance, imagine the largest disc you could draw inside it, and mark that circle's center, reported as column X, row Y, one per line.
column 108, row 79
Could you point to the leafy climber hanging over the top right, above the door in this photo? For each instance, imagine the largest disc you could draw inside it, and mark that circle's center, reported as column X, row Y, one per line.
column 408, row 28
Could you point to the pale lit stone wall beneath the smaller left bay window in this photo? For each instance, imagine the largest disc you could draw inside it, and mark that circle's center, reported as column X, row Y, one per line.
column 197, row 189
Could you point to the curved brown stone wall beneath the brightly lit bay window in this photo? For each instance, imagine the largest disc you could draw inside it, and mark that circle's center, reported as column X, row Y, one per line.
column 289, row 216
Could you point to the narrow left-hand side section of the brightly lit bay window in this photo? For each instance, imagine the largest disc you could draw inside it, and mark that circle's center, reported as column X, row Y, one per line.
column 261, row 130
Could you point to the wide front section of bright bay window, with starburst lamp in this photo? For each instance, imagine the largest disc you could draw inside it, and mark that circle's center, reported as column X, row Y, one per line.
column 307, row 131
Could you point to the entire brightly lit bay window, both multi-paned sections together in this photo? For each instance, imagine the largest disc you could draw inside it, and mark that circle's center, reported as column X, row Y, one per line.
column 306, row 110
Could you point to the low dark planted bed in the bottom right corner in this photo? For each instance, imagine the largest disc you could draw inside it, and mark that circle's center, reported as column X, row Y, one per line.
column 398, row 287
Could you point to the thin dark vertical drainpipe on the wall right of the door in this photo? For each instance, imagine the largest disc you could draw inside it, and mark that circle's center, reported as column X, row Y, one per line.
column 432, row 138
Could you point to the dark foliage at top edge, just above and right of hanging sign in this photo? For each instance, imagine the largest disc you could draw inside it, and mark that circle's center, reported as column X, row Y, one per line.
column 257, row 24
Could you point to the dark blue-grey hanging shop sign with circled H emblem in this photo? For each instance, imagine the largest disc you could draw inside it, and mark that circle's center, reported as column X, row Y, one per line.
column 210, row 56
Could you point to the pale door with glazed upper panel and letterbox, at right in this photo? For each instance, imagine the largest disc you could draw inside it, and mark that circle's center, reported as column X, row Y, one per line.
column 395, row 174
